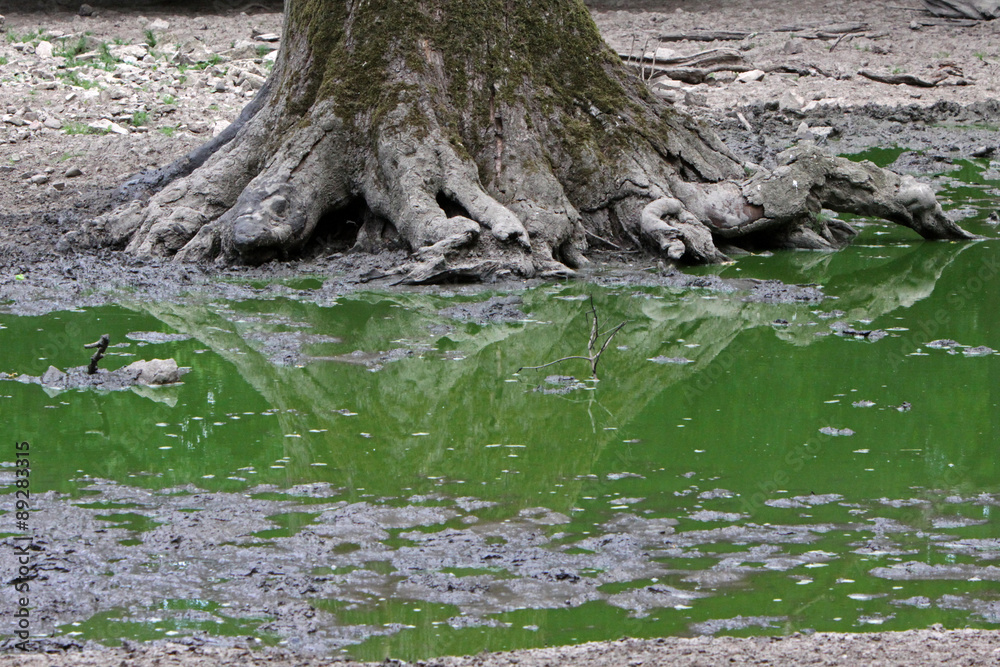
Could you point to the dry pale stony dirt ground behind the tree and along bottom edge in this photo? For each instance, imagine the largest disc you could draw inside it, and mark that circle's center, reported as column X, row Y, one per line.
column 72, row 131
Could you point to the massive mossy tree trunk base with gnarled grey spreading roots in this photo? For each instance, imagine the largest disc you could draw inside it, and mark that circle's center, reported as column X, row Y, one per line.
column 489, row 137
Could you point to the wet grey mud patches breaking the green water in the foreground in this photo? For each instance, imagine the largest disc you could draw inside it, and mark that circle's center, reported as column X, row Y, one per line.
column 266, row 563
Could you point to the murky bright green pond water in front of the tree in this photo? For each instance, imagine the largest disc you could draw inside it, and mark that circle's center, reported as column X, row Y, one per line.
column 740, row 467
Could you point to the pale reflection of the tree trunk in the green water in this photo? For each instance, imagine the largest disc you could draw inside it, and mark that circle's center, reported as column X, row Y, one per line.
column 469, row 403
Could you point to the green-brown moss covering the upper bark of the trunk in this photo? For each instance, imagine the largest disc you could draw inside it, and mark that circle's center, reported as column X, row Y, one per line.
column 467, row 58
